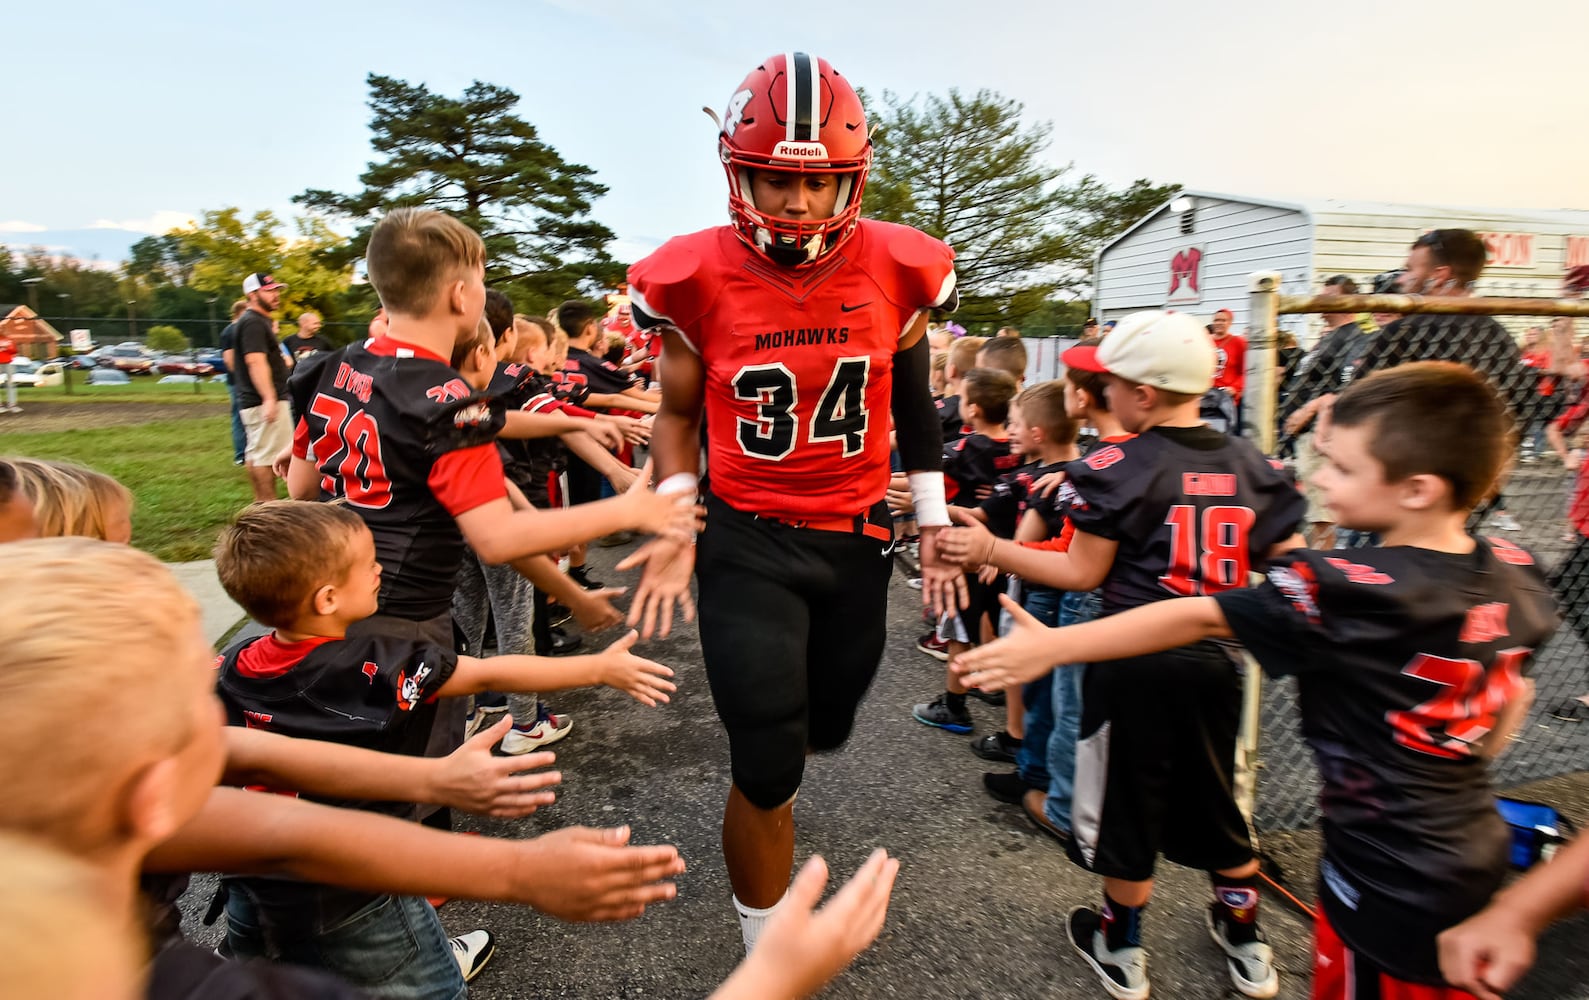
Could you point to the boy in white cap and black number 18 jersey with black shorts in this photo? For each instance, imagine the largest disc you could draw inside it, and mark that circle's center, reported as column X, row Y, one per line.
column 1180, row 510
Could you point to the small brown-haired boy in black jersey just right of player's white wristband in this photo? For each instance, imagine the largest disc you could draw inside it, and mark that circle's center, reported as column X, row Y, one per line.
column 972, row 467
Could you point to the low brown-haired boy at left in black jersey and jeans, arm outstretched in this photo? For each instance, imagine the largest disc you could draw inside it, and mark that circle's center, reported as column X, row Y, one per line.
column 311, row 573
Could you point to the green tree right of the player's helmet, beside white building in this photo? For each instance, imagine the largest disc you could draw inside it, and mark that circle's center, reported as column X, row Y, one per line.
column 970, row 172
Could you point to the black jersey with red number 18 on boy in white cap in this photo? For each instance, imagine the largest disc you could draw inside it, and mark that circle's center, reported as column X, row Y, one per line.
column 1193, row 510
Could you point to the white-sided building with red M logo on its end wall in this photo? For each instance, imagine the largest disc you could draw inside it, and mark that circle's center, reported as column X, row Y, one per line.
column 1196, row 254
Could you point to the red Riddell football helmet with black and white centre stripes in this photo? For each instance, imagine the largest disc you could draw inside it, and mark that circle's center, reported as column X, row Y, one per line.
column 798, row 115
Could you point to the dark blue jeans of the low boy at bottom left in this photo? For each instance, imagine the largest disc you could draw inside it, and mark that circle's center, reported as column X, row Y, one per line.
column 393, row 948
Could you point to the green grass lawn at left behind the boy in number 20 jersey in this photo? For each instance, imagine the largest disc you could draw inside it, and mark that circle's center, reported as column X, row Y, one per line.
column 180, row 471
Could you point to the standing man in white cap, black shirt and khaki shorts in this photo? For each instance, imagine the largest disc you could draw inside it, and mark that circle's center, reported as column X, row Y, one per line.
column 261, row 381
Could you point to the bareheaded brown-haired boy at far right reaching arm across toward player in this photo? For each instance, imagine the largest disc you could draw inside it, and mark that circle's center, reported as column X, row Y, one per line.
column 1410, row 659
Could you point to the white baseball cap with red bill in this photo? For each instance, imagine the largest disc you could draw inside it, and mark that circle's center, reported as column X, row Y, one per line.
column 1166, row 351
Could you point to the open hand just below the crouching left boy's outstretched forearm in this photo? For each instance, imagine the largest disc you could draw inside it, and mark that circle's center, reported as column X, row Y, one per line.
column 473, row 780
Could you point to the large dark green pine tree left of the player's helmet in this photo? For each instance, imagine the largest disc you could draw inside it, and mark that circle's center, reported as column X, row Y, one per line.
column 476, row 160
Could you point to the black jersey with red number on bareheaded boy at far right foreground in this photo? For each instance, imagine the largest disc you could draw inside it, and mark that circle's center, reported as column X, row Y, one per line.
column 1404, row 659
